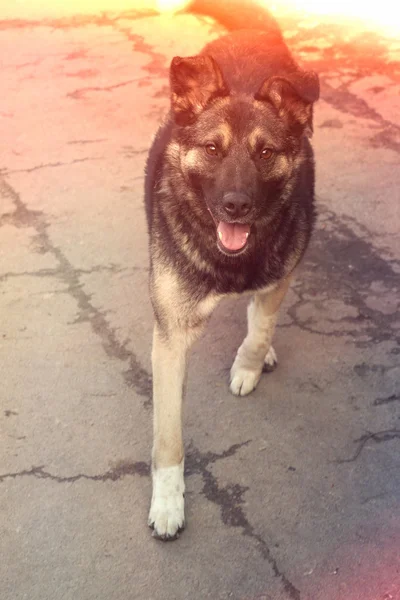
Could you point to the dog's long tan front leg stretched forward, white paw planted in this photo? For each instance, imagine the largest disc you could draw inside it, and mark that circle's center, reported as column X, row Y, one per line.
column 179, row 322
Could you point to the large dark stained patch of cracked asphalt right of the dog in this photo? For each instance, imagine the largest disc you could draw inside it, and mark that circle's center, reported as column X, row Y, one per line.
column 341, row 265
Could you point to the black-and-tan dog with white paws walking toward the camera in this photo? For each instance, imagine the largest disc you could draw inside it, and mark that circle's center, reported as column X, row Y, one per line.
column 229, row 197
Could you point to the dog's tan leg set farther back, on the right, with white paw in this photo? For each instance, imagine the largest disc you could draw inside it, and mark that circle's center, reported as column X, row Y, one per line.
column 256, row 352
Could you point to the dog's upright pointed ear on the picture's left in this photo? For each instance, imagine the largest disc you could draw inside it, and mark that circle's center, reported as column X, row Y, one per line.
column 195, row 81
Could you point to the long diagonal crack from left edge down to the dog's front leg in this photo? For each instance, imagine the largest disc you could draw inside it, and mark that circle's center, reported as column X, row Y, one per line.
column 135, row 376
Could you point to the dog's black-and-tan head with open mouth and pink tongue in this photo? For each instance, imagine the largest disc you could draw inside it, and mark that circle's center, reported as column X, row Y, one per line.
column 239, row 151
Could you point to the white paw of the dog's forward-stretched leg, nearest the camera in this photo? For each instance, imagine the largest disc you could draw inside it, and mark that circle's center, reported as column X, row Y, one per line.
column 167, row 511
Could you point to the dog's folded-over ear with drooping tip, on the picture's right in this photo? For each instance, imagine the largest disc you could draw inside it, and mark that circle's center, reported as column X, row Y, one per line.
column 293, row 96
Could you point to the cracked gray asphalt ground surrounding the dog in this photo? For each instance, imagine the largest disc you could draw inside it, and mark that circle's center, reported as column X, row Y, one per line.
column 293, row 492
